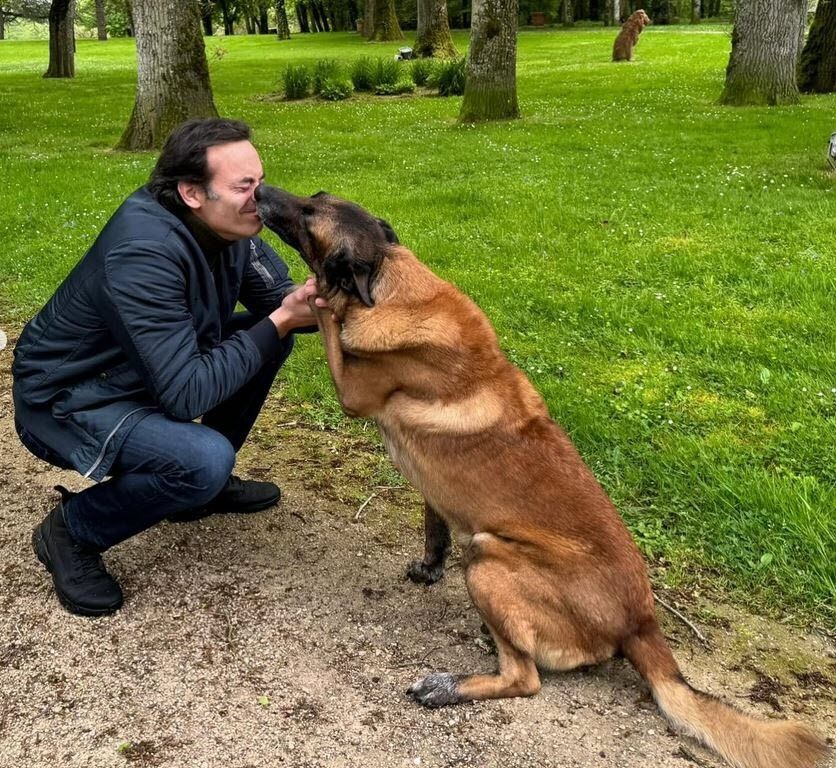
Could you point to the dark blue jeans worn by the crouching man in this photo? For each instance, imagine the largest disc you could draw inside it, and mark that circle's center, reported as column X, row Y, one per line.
column 166, row 466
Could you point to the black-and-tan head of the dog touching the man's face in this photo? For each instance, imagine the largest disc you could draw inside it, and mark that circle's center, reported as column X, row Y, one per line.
column 341, row 243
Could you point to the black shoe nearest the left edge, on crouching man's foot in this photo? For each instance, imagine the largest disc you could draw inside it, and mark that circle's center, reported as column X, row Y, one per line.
column 81, row 582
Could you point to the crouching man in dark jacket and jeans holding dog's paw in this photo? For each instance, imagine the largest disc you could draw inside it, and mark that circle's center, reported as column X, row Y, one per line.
column 141, row 339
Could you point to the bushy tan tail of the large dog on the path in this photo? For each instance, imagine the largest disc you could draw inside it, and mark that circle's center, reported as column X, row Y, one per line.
column 744, row 741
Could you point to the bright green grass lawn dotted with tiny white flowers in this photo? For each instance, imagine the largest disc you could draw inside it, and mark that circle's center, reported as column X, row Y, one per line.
column 663, row 268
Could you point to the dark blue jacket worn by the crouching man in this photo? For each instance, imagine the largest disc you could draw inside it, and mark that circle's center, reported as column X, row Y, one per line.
column 137, row 327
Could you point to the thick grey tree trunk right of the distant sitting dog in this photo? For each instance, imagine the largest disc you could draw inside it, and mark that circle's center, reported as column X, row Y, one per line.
column 762, row 65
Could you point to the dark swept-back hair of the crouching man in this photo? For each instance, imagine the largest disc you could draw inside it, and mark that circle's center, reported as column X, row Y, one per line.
column 183, row 157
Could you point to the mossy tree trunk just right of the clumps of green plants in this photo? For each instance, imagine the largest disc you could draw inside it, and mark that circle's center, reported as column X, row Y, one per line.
column 490, row 91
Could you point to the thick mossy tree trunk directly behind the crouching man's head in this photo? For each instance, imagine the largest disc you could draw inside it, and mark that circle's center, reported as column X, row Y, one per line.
column 173, row 79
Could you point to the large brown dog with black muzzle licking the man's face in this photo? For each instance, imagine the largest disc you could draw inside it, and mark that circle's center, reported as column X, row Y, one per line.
column 548, row 562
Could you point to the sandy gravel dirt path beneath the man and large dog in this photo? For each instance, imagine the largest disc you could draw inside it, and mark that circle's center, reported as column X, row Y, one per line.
column 289, row 637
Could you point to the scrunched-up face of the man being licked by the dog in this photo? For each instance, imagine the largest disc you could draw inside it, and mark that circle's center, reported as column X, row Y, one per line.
column 227, row 205
